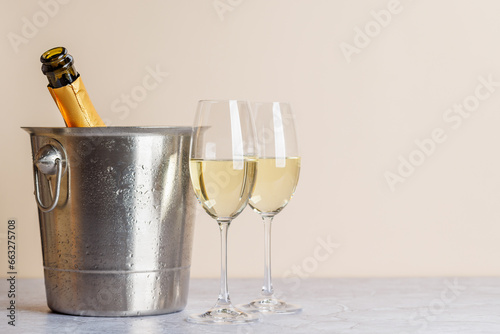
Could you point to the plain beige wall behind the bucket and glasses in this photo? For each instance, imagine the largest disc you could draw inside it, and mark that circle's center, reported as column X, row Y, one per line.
column 361, row 101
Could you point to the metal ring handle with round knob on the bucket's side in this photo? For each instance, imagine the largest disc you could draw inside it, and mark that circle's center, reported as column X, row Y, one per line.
column 50, row 161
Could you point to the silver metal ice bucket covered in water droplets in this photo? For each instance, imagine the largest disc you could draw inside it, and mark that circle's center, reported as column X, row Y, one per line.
column 116, row 210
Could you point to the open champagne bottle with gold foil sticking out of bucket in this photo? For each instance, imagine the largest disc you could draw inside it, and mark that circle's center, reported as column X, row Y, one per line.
column 67, row 89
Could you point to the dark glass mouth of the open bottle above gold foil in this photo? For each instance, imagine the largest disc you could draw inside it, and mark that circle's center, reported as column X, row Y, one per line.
column 59, row 67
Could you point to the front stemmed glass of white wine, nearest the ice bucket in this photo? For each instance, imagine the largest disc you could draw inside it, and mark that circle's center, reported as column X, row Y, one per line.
column 222, row 168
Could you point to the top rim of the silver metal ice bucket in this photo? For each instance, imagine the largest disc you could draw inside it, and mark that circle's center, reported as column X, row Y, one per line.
column 110, row 130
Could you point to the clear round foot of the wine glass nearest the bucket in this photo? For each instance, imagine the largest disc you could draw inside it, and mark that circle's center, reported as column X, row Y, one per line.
column 224, row 316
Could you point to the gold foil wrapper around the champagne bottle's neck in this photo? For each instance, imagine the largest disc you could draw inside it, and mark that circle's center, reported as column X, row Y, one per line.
column 75, row 105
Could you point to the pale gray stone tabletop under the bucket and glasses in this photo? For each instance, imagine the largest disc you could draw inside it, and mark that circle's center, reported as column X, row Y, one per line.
column 334, row 305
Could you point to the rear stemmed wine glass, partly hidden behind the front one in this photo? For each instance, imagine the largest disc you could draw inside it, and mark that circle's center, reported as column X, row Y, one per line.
column 277, row 176
